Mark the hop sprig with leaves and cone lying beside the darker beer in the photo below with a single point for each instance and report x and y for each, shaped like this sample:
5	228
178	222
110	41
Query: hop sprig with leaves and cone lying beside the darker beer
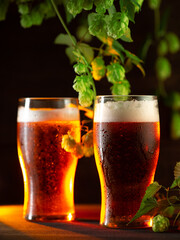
163	207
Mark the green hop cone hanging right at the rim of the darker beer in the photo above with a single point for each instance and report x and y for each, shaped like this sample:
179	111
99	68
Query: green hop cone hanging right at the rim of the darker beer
122	88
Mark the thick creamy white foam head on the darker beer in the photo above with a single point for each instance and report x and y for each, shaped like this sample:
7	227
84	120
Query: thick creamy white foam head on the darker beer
127	111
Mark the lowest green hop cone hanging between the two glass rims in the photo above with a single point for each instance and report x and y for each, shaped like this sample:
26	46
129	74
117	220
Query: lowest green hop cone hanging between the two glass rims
86	97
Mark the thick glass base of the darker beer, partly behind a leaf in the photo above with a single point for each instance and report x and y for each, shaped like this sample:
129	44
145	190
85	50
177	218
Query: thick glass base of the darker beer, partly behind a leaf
123	222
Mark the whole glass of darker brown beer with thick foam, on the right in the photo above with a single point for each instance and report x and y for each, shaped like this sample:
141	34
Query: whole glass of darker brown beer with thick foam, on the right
126	145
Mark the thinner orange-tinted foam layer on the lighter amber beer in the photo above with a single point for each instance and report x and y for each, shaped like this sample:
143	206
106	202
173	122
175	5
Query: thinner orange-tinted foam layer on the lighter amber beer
47	114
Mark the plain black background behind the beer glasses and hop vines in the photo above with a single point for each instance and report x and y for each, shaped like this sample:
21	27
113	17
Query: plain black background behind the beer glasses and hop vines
32	66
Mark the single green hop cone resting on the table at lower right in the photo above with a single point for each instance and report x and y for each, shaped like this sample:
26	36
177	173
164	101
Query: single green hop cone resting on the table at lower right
160	223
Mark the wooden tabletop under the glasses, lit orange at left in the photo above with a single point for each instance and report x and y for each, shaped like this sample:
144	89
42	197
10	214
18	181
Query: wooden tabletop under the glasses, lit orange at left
14	227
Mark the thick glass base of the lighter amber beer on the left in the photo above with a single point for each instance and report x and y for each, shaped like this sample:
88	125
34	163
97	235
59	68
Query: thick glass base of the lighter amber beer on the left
50	218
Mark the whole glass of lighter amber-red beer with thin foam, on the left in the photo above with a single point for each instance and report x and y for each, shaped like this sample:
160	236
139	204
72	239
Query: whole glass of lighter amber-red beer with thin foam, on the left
48	170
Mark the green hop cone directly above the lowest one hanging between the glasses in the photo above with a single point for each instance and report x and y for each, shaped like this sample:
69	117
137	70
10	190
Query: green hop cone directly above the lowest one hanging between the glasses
81	83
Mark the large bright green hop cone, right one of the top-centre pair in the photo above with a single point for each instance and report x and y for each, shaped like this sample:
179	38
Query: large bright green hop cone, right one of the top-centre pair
117	25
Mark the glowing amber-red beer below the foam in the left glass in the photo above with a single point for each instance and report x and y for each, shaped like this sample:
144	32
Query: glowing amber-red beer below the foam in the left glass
48	170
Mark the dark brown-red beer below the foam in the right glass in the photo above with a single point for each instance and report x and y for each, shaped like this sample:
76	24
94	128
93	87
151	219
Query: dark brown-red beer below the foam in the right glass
126	157
